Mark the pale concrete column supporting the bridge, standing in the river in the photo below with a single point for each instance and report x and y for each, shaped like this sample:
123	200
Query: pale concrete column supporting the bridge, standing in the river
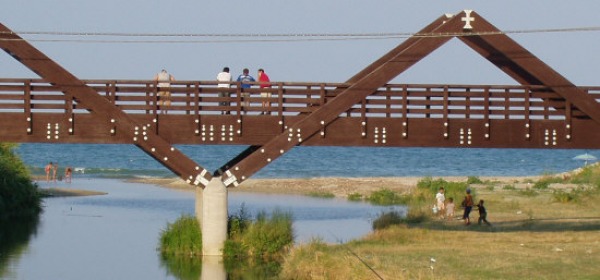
214	217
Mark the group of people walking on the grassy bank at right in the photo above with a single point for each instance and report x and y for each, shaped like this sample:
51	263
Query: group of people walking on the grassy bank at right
446	210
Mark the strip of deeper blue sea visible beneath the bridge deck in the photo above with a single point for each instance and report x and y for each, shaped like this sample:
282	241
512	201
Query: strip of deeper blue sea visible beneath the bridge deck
125	161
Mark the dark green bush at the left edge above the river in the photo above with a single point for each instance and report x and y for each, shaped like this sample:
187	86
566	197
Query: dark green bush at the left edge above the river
19	196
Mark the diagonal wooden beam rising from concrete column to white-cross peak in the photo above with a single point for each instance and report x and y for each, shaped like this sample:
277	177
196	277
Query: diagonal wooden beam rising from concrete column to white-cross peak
363	84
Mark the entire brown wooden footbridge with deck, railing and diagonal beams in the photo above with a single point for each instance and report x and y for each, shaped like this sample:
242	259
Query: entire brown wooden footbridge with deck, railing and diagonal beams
542	110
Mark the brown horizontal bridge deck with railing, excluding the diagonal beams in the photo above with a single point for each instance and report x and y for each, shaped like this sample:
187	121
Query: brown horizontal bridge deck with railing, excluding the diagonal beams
395	115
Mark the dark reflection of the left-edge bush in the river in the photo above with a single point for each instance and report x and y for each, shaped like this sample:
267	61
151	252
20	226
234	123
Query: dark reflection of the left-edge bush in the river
14	237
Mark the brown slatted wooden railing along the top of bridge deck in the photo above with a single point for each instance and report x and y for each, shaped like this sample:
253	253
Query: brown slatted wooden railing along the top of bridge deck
290	99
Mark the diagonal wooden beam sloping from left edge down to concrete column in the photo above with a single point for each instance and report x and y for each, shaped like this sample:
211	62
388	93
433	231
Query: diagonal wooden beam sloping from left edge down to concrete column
141	135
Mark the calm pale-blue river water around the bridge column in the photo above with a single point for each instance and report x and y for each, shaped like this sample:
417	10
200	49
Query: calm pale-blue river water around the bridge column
115	236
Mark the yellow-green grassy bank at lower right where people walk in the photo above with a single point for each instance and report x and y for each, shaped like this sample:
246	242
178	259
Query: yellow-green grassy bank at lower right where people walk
536	233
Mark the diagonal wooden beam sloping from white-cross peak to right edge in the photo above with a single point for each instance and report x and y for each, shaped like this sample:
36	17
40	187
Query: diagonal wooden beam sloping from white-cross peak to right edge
524	67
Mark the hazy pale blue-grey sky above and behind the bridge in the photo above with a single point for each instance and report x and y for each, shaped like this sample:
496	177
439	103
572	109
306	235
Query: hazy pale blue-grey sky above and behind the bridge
573	54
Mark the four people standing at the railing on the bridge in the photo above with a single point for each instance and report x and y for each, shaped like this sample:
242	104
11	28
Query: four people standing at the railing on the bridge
164	79
